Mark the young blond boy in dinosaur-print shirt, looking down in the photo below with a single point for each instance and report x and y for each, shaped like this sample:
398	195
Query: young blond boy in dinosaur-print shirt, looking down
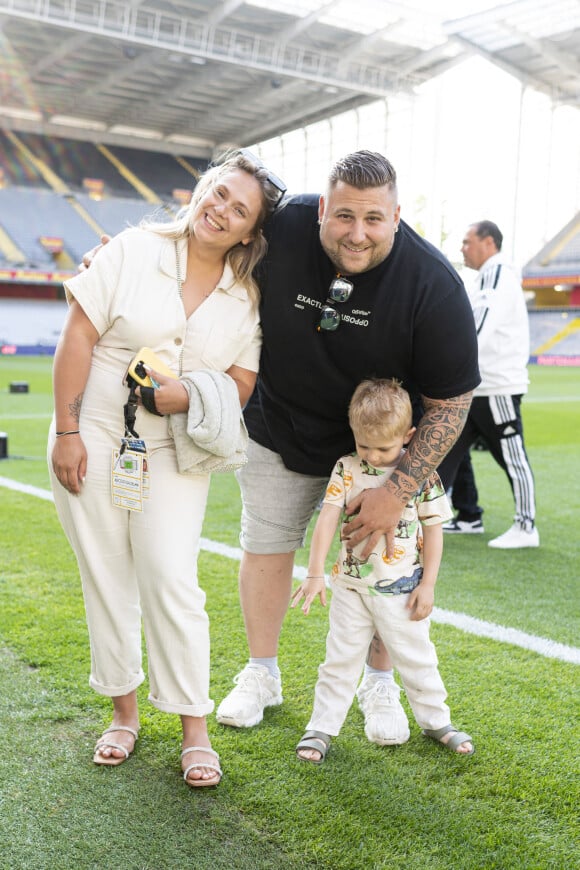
393	597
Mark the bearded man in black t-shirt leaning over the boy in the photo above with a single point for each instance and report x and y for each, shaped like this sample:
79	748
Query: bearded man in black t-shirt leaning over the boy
348	291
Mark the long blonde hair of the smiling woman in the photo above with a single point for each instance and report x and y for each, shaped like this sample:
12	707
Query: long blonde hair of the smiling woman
242	259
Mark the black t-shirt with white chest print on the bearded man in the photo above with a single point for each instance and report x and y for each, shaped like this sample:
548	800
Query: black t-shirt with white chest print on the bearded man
408	318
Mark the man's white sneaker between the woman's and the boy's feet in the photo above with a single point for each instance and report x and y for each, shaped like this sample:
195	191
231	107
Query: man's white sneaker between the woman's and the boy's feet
255	689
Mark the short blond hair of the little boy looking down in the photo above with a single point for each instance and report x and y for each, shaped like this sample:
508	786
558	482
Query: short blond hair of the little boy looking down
380	406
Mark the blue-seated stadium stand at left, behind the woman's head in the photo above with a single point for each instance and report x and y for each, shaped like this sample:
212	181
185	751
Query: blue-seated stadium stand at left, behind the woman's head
57	196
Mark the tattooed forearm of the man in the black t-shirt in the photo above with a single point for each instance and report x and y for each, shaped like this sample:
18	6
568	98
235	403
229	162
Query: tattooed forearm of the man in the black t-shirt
437	432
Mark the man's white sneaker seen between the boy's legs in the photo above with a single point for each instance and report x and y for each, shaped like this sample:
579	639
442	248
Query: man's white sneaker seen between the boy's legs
385	720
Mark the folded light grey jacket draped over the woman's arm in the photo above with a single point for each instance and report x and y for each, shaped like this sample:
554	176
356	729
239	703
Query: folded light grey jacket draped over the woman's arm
212	435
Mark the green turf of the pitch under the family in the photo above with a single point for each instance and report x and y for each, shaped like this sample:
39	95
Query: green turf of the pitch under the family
513	805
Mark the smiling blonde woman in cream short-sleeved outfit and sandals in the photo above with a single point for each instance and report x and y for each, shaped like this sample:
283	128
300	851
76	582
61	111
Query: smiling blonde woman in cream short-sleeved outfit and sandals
184	289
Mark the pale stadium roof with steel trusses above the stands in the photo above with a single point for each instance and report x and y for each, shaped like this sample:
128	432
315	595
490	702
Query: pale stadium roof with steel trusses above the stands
191	76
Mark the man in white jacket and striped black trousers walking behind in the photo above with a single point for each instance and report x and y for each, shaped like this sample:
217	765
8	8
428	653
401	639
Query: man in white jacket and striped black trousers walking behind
501	320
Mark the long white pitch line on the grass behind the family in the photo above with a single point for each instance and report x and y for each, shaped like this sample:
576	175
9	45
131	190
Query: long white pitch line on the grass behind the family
469	624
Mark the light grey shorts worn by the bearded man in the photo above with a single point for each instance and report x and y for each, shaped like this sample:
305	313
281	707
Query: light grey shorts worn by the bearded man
277	504
